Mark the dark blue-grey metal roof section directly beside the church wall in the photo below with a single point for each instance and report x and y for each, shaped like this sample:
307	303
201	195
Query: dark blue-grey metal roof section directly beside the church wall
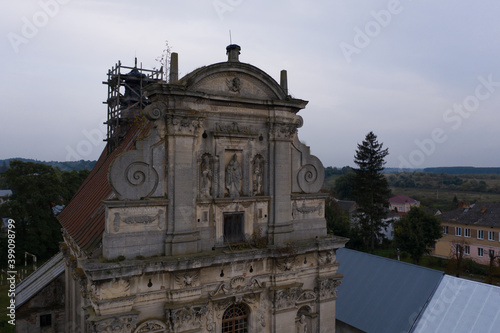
382	295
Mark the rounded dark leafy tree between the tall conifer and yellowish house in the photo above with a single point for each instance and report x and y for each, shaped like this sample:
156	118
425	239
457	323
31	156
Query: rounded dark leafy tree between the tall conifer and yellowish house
415	232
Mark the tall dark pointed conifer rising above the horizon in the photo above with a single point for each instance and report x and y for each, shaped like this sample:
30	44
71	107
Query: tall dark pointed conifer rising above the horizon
371	189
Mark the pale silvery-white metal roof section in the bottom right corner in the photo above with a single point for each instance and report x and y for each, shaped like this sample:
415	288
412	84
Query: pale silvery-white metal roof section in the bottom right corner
460	305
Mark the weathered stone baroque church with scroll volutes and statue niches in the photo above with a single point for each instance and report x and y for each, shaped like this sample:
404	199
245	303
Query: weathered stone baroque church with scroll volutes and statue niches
204	212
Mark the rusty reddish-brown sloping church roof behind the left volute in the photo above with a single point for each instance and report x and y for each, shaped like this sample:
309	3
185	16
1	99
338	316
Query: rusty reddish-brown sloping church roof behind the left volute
83	218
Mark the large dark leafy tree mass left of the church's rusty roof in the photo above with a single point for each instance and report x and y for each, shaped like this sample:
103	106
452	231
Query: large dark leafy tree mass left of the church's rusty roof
36	188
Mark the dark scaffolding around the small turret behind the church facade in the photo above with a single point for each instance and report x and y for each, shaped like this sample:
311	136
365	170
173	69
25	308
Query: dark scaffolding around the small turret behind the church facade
126	98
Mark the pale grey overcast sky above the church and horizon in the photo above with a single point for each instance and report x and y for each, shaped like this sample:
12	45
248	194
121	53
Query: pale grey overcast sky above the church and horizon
424	76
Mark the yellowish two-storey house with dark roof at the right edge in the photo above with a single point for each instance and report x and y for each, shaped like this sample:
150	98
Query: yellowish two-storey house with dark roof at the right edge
475	227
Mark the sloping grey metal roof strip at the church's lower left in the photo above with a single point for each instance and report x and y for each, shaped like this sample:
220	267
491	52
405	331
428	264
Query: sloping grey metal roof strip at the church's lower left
39	279
